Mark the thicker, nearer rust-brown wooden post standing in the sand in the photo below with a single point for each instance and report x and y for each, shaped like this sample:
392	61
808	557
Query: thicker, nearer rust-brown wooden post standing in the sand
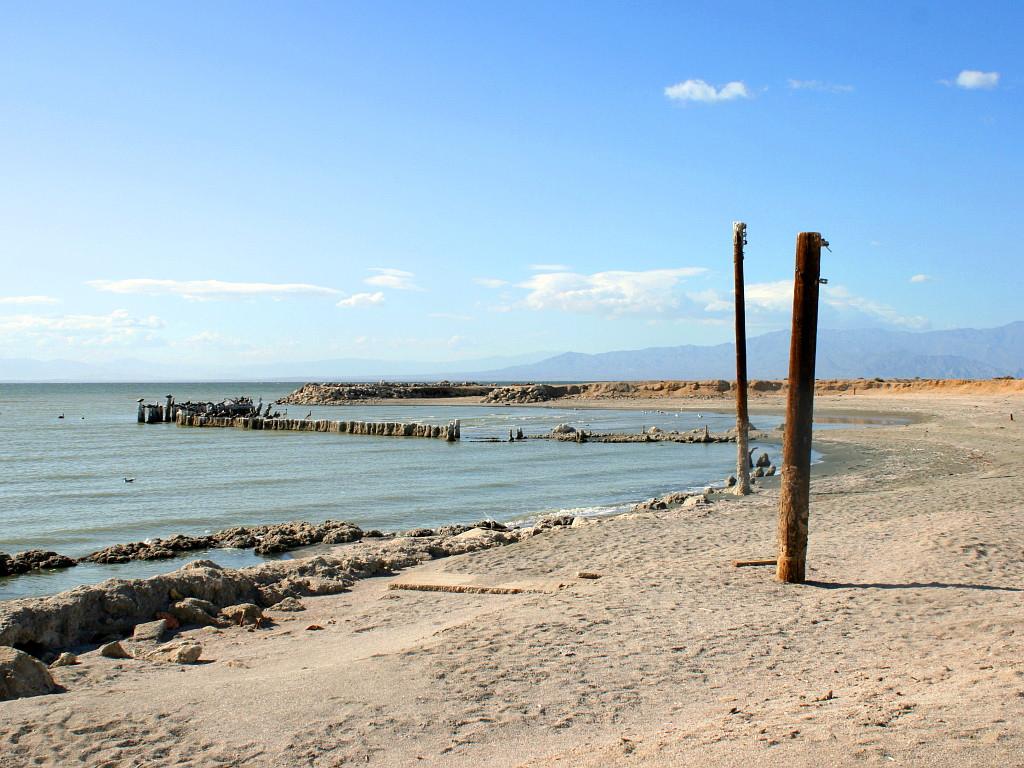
795	496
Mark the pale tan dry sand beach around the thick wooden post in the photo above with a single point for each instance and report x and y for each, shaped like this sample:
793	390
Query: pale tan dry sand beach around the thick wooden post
908	649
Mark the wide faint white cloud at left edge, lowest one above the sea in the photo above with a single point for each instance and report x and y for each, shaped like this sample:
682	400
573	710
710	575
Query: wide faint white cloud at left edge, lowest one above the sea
86	330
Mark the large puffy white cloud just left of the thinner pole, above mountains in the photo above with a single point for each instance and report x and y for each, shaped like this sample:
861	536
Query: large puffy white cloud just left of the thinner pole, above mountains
616	292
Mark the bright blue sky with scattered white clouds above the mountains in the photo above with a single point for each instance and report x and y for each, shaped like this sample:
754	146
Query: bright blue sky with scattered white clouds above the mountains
441	182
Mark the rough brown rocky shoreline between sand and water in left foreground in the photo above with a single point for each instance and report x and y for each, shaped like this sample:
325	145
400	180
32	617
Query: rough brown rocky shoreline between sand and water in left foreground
203	593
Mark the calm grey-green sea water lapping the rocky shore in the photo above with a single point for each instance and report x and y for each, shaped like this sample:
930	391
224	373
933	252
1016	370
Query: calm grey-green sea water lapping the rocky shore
63	480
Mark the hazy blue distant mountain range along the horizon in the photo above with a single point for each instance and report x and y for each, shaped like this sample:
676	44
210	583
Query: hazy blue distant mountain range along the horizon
963	354
